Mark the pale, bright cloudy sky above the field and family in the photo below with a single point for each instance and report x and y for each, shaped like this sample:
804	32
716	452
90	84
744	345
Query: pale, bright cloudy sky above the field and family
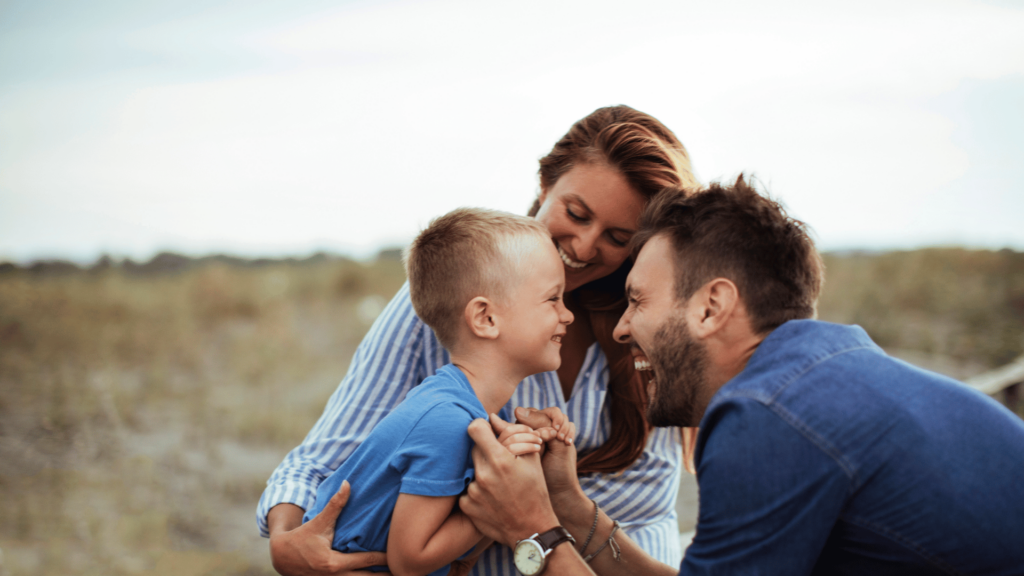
283	128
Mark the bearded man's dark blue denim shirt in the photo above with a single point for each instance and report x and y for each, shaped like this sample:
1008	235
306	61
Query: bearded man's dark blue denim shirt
827	457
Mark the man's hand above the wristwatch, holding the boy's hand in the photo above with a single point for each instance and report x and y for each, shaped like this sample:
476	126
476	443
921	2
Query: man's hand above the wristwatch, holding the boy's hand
508	501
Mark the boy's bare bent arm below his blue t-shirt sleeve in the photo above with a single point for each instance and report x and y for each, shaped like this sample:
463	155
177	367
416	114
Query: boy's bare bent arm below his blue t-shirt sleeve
426	534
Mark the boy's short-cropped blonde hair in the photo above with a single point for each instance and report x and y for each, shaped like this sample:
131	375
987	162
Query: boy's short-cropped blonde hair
466	254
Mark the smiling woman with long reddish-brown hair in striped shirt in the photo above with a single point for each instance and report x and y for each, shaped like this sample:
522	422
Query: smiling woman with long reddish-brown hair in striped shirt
594	184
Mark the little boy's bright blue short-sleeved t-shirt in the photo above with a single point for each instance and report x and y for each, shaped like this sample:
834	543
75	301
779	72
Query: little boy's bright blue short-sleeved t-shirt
422	448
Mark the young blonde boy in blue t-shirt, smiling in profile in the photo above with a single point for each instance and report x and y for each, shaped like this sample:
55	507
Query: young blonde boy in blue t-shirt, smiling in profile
490	284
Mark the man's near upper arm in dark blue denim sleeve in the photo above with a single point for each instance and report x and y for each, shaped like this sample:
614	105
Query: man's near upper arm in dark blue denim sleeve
771	495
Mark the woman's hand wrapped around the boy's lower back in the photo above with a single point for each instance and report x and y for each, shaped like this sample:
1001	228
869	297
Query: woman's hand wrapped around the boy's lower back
306	550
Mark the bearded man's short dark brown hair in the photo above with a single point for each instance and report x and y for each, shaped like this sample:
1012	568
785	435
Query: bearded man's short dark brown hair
734	232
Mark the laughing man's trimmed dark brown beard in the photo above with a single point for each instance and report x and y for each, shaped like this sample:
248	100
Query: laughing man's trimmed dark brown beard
680	364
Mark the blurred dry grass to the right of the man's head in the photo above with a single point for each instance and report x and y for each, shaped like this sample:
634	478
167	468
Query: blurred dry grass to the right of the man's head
964	305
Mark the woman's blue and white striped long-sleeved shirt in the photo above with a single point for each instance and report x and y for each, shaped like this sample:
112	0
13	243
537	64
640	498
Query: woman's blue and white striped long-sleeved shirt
400	352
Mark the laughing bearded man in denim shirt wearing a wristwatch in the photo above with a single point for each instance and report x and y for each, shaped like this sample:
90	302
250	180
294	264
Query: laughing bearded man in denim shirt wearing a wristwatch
818	454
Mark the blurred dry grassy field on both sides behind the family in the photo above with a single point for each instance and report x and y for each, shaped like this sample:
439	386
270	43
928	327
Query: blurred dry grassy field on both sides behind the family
144	406
